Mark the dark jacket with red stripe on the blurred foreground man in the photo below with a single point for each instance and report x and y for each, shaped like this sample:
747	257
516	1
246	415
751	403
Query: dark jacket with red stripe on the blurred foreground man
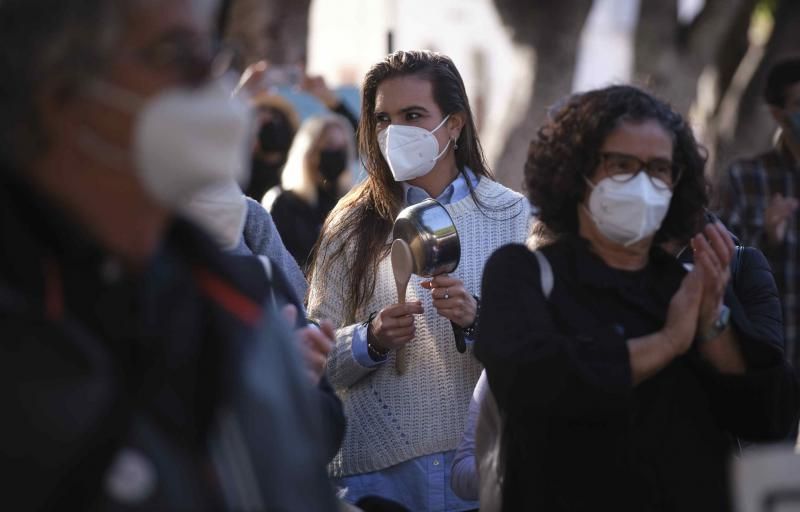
153	373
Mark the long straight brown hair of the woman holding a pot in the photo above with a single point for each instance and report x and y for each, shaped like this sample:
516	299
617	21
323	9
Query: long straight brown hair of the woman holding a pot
364	217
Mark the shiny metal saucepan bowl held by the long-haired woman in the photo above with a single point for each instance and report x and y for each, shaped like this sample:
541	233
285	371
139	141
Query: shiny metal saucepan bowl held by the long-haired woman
429	231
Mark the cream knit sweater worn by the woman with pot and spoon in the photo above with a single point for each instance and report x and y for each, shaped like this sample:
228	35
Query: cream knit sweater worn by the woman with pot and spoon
393	418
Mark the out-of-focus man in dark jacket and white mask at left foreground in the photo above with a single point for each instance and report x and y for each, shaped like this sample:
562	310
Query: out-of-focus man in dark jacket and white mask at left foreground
141	368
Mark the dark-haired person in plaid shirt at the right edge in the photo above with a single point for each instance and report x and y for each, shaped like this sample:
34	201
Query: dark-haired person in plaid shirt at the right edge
760	201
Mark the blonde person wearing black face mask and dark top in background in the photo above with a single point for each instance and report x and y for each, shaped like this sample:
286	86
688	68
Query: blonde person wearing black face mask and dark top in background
317	173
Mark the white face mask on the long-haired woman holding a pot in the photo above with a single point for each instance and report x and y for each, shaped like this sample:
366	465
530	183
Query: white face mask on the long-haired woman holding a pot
410	151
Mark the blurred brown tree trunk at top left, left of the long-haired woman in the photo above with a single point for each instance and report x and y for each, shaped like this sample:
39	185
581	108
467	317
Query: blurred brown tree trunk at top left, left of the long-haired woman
275	30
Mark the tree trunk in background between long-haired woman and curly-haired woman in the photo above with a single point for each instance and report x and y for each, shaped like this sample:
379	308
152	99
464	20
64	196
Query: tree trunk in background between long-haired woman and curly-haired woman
546	34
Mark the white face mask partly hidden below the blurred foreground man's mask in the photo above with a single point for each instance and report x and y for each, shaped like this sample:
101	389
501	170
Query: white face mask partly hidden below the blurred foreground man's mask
222	210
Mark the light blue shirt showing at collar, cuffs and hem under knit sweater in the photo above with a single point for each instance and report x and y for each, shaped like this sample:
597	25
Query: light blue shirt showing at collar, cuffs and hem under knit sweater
403	482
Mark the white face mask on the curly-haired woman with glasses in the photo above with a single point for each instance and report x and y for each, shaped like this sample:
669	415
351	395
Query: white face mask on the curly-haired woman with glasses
629	211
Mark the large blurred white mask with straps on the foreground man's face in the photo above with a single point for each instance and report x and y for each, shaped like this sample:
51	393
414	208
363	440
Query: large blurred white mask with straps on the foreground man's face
184	139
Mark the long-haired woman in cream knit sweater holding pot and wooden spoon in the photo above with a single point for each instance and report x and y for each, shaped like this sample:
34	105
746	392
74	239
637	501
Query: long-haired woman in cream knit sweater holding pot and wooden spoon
418	140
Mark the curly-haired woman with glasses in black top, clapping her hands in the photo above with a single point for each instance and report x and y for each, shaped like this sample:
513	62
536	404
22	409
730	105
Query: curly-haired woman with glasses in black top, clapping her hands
619	388
